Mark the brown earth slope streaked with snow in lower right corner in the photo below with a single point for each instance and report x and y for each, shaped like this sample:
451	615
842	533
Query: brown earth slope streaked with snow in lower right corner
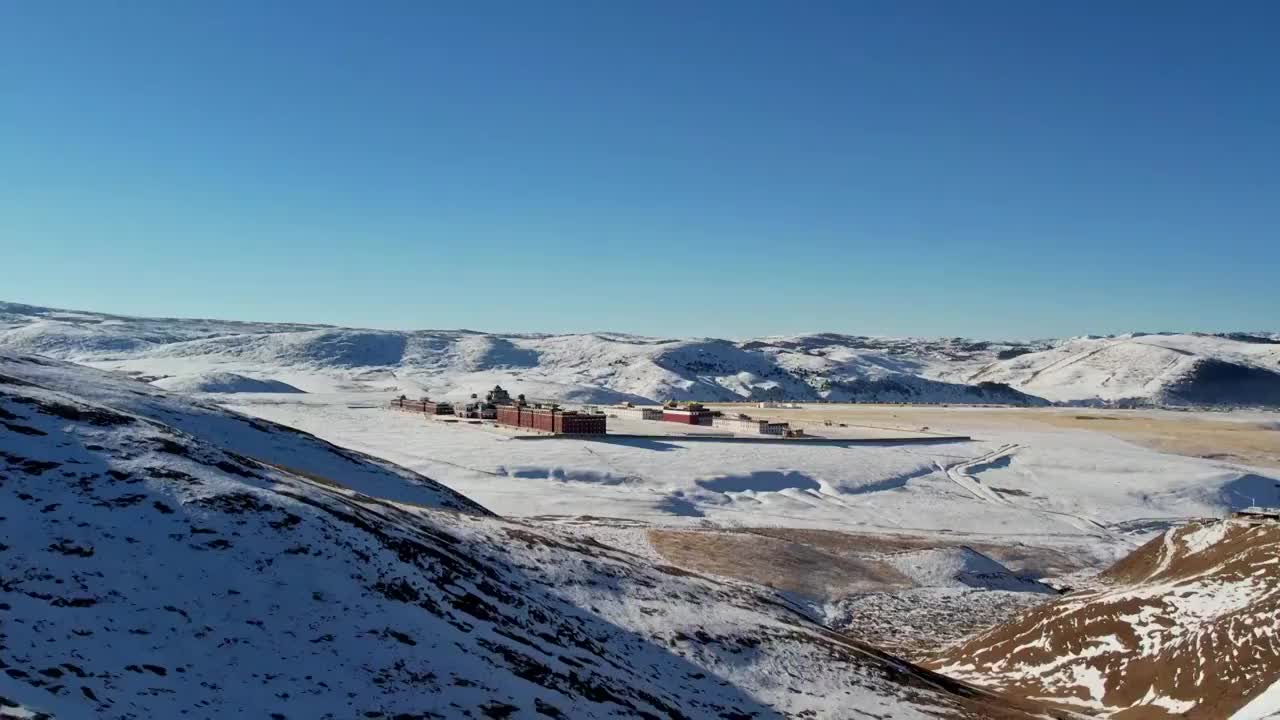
1188	627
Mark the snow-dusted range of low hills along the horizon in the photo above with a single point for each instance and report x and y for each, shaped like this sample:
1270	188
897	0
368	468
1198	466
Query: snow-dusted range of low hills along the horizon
1165	370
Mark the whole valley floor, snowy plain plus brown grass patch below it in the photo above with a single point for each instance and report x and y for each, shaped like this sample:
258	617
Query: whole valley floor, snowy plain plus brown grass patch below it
1048	496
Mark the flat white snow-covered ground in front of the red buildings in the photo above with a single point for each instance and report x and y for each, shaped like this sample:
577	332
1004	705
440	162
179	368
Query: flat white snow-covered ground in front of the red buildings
1085	491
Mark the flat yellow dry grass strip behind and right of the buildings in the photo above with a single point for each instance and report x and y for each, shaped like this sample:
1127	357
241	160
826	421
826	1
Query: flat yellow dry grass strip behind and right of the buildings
1246	439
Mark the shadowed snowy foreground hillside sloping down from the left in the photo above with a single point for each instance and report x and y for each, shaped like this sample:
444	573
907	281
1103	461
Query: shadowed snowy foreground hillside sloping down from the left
162	558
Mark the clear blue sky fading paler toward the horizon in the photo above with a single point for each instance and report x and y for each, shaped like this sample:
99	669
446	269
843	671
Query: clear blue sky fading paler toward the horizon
720	168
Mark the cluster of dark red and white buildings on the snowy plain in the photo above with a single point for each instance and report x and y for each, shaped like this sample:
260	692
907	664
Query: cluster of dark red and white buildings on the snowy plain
546	417
